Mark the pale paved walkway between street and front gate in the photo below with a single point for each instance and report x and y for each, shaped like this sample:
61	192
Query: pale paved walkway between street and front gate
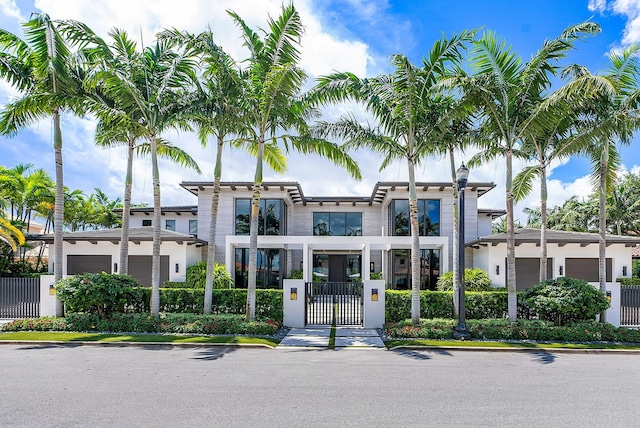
318	337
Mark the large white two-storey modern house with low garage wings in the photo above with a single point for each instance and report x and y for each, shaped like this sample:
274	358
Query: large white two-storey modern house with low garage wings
339	238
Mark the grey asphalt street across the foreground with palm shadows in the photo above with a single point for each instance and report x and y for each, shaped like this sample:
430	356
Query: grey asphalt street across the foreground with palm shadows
126	386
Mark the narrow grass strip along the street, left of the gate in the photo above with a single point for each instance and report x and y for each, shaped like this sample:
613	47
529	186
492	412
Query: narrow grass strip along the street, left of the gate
71	337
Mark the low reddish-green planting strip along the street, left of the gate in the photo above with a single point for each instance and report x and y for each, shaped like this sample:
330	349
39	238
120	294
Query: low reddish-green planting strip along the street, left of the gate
143	323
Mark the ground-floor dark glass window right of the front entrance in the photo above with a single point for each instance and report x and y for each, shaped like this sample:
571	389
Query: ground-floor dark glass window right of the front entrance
429	269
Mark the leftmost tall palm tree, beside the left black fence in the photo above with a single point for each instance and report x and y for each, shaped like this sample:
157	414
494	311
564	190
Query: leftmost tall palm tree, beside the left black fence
43	69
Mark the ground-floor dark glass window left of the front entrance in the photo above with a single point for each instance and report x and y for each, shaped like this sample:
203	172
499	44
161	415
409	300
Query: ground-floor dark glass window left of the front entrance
268	268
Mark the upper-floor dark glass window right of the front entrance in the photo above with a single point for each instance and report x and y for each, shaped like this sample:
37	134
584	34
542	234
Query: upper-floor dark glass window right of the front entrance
428	217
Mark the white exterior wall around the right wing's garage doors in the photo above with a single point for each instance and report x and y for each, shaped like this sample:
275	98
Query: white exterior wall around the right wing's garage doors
489	257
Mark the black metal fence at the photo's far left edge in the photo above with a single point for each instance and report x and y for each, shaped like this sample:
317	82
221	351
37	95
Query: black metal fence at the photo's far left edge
19	297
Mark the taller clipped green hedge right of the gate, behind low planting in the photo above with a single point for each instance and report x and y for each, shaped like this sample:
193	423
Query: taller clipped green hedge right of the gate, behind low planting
439	304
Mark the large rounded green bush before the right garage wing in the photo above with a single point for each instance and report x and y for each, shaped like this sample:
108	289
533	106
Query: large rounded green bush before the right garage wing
563	299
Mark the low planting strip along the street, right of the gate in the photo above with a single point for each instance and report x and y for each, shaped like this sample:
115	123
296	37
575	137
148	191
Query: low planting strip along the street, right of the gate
495	329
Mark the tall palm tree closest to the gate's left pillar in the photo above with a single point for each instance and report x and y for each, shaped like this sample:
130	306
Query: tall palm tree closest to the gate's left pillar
271	100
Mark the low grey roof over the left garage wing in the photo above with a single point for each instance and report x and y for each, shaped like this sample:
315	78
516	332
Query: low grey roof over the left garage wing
136	234
